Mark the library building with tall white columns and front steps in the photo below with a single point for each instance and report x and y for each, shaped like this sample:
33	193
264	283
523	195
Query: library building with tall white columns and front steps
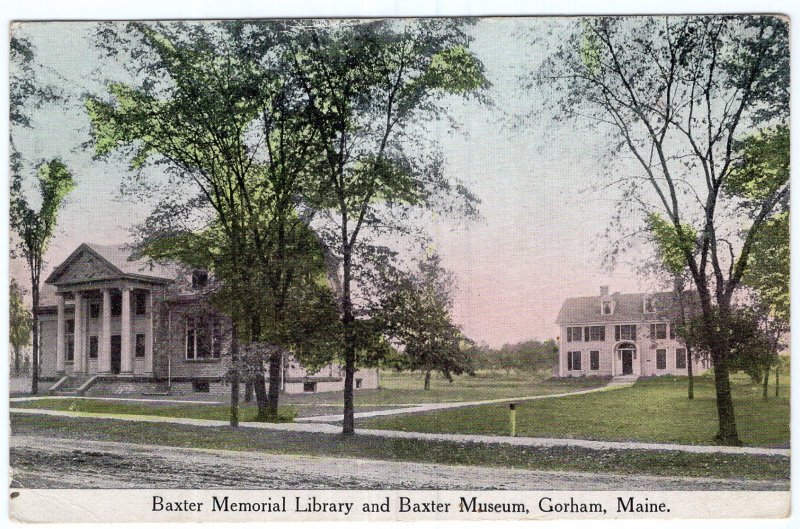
112	324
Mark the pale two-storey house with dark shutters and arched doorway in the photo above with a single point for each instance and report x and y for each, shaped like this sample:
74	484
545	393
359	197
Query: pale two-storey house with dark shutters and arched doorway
621	335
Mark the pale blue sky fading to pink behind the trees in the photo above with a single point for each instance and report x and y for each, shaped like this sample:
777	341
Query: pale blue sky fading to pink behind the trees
541	233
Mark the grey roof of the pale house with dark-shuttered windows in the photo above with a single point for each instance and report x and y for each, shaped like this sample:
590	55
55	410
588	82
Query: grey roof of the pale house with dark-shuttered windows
627	308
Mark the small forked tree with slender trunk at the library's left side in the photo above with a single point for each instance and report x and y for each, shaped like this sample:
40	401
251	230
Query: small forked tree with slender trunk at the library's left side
35	230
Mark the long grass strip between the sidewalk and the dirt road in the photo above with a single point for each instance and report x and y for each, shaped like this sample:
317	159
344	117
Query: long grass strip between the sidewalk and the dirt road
638	462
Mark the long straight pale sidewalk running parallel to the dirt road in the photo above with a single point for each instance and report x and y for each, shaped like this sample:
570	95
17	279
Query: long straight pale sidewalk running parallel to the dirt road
459	438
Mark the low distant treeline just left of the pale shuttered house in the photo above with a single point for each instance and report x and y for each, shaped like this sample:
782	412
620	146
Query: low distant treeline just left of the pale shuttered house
530	355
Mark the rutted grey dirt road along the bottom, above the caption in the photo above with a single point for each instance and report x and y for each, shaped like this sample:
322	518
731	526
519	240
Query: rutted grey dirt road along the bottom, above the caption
46	462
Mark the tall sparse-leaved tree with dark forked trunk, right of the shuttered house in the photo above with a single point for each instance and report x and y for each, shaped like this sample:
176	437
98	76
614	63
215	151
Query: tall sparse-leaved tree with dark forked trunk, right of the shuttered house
677	93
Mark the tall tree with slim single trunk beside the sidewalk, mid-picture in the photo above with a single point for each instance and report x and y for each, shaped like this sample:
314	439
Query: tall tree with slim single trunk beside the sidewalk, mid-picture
368	84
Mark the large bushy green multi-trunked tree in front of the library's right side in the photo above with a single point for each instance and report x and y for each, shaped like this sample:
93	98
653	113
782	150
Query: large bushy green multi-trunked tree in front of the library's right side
226	122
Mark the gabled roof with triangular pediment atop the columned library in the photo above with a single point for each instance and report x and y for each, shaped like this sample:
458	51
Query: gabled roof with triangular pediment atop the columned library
109	262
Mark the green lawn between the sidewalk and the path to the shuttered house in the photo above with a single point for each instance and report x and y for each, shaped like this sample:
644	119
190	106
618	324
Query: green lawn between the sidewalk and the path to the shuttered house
654	410
